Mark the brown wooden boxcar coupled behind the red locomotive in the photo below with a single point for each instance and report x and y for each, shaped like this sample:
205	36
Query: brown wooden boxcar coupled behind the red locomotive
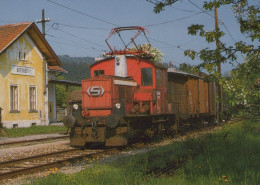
190	95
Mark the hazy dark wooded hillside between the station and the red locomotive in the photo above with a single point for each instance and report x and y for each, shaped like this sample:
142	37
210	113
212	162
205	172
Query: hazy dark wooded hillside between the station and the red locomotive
77	67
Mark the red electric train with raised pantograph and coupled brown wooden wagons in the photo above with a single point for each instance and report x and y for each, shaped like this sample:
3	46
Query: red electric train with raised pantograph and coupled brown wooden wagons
129	95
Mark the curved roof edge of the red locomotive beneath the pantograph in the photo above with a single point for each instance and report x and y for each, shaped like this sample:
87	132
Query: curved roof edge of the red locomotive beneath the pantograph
155	64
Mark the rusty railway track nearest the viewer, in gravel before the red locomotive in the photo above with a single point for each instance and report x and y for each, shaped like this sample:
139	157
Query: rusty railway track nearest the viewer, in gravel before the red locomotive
13	168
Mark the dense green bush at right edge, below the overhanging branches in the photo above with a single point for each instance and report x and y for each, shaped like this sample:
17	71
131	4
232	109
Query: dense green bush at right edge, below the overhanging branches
242	88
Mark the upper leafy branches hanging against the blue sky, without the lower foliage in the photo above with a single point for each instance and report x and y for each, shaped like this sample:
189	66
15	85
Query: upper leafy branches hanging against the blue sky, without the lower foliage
246	15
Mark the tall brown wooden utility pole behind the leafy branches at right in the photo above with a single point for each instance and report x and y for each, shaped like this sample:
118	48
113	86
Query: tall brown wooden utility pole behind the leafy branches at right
220	104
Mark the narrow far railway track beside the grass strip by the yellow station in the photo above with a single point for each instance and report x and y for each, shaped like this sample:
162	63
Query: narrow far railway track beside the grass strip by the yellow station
31	141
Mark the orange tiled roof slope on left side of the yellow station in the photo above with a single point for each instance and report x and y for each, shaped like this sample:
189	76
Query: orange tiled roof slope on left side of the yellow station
8	33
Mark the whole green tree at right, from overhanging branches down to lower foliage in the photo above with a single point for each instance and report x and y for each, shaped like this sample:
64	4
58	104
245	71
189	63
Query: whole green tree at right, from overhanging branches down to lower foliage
248	18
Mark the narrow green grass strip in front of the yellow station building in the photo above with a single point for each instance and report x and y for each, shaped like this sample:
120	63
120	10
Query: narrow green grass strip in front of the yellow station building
19	132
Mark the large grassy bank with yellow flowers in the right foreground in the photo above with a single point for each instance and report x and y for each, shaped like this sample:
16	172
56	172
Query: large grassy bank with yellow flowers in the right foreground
229	156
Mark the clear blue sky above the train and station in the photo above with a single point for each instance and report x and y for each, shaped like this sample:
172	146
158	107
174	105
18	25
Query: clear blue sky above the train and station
79	28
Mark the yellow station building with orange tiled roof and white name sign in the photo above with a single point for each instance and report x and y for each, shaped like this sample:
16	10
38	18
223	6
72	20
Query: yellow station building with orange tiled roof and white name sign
27	62
